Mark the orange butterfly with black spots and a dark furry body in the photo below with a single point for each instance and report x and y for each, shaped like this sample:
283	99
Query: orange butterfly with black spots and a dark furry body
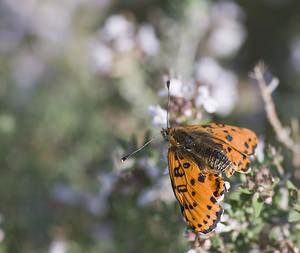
198	156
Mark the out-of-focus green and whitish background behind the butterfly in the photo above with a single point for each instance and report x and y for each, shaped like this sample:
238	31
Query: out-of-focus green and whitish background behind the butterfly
80	86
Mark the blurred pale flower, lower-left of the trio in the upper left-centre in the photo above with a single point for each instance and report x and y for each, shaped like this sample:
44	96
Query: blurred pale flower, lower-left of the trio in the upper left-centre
102	57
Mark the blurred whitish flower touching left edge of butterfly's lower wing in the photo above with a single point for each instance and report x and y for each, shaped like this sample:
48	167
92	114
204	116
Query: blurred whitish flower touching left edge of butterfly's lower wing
161	190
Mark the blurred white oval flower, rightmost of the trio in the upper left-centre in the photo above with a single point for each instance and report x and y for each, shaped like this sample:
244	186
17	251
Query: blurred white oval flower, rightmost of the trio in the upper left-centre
148	40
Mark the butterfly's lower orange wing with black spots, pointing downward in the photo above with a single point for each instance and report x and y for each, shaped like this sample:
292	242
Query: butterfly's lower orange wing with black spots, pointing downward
197	191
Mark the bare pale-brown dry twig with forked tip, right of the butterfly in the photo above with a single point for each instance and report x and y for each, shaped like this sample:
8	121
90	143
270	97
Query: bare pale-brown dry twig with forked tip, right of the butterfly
283	134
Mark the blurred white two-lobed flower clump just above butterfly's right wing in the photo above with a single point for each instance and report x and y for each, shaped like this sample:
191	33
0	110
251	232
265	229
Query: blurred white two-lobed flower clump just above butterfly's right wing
223	84
